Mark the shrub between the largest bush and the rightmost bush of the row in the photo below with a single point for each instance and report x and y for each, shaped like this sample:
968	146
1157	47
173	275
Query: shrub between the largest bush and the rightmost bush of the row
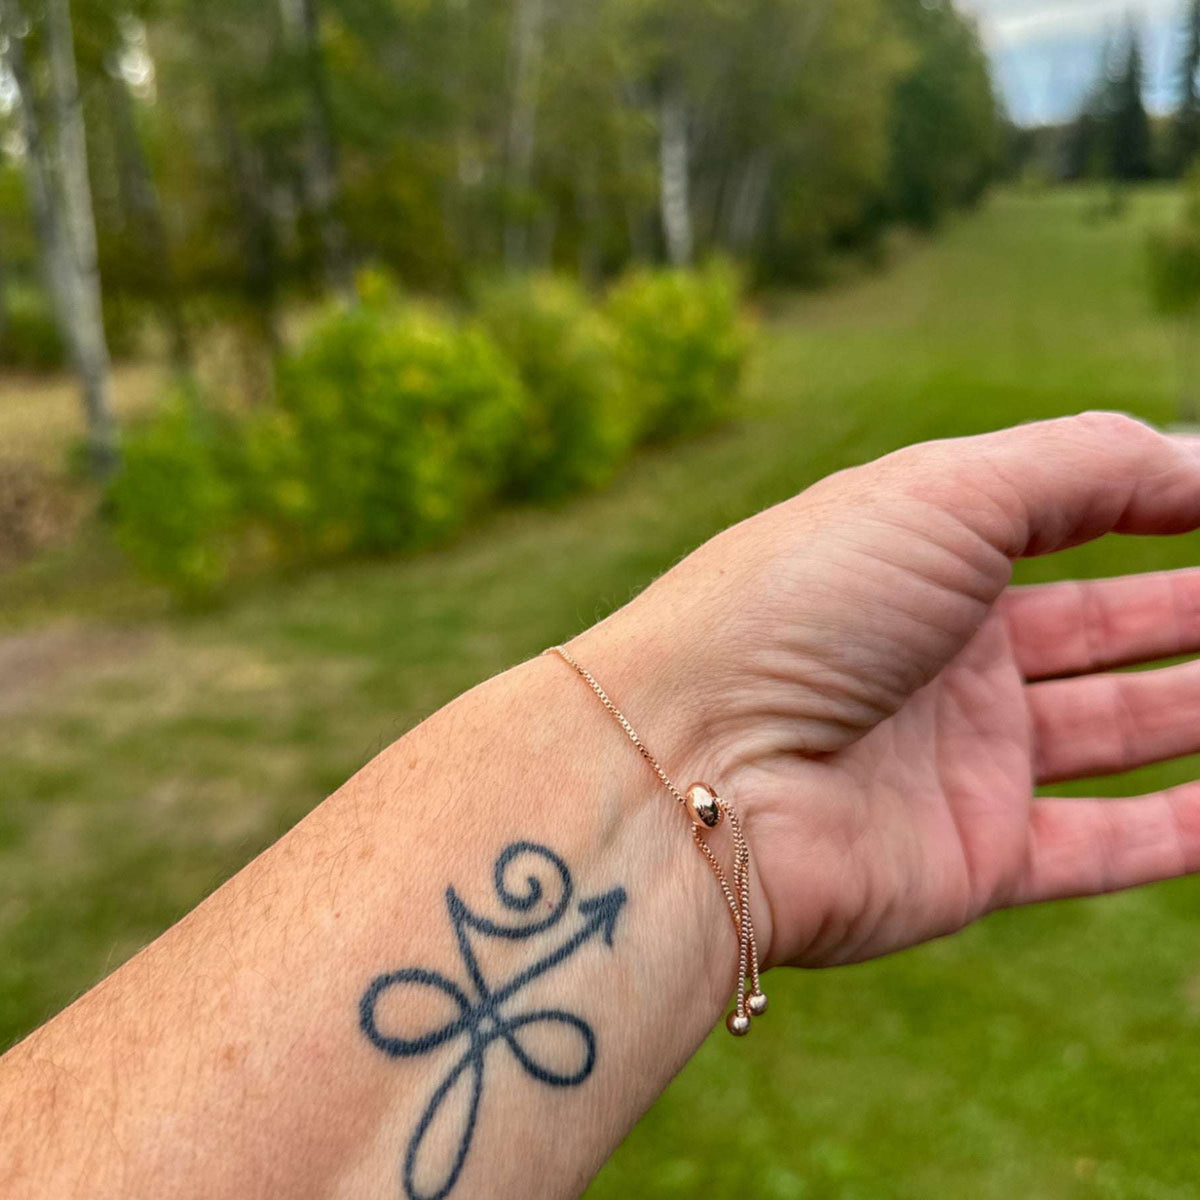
577	424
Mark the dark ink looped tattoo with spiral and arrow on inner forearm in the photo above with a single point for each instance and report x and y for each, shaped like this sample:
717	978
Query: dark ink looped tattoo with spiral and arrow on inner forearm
483	1021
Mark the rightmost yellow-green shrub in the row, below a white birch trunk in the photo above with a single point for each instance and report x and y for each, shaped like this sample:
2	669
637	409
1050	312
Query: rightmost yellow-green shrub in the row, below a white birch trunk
682	347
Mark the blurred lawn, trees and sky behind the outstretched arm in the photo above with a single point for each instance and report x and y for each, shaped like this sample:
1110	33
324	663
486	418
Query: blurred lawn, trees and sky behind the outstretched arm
352	351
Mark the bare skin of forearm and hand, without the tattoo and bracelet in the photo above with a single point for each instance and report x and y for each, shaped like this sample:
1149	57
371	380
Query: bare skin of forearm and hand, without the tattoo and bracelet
851	668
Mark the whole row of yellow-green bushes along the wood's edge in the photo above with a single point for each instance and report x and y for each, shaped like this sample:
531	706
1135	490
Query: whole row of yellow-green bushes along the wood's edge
395	423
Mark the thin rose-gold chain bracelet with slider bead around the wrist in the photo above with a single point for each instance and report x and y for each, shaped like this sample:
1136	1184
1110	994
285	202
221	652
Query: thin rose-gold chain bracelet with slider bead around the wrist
706	811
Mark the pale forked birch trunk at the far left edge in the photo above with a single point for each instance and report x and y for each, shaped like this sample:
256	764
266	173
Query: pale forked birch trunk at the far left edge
61	197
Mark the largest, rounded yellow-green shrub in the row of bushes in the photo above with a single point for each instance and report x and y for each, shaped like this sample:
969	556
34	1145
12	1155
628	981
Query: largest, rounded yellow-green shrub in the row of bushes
400	423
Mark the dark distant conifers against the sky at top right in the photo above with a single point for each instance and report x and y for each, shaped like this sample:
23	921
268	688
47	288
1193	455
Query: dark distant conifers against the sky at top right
1114	137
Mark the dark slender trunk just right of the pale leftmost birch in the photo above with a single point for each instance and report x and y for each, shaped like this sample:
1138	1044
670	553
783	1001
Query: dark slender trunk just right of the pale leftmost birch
141	201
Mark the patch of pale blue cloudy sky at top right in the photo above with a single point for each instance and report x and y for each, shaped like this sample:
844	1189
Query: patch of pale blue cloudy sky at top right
1047	51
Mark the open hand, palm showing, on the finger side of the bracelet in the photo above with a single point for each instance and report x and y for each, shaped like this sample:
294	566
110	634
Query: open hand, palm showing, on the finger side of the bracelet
855	671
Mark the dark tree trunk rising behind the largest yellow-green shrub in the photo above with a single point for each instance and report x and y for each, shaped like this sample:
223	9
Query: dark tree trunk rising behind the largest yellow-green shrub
302	23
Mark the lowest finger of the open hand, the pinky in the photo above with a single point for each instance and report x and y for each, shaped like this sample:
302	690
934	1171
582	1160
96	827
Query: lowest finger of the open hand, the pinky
1090	848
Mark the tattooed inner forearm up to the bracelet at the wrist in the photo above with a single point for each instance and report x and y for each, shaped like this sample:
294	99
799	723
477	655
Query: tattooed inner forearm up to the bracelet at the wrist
247	1054
